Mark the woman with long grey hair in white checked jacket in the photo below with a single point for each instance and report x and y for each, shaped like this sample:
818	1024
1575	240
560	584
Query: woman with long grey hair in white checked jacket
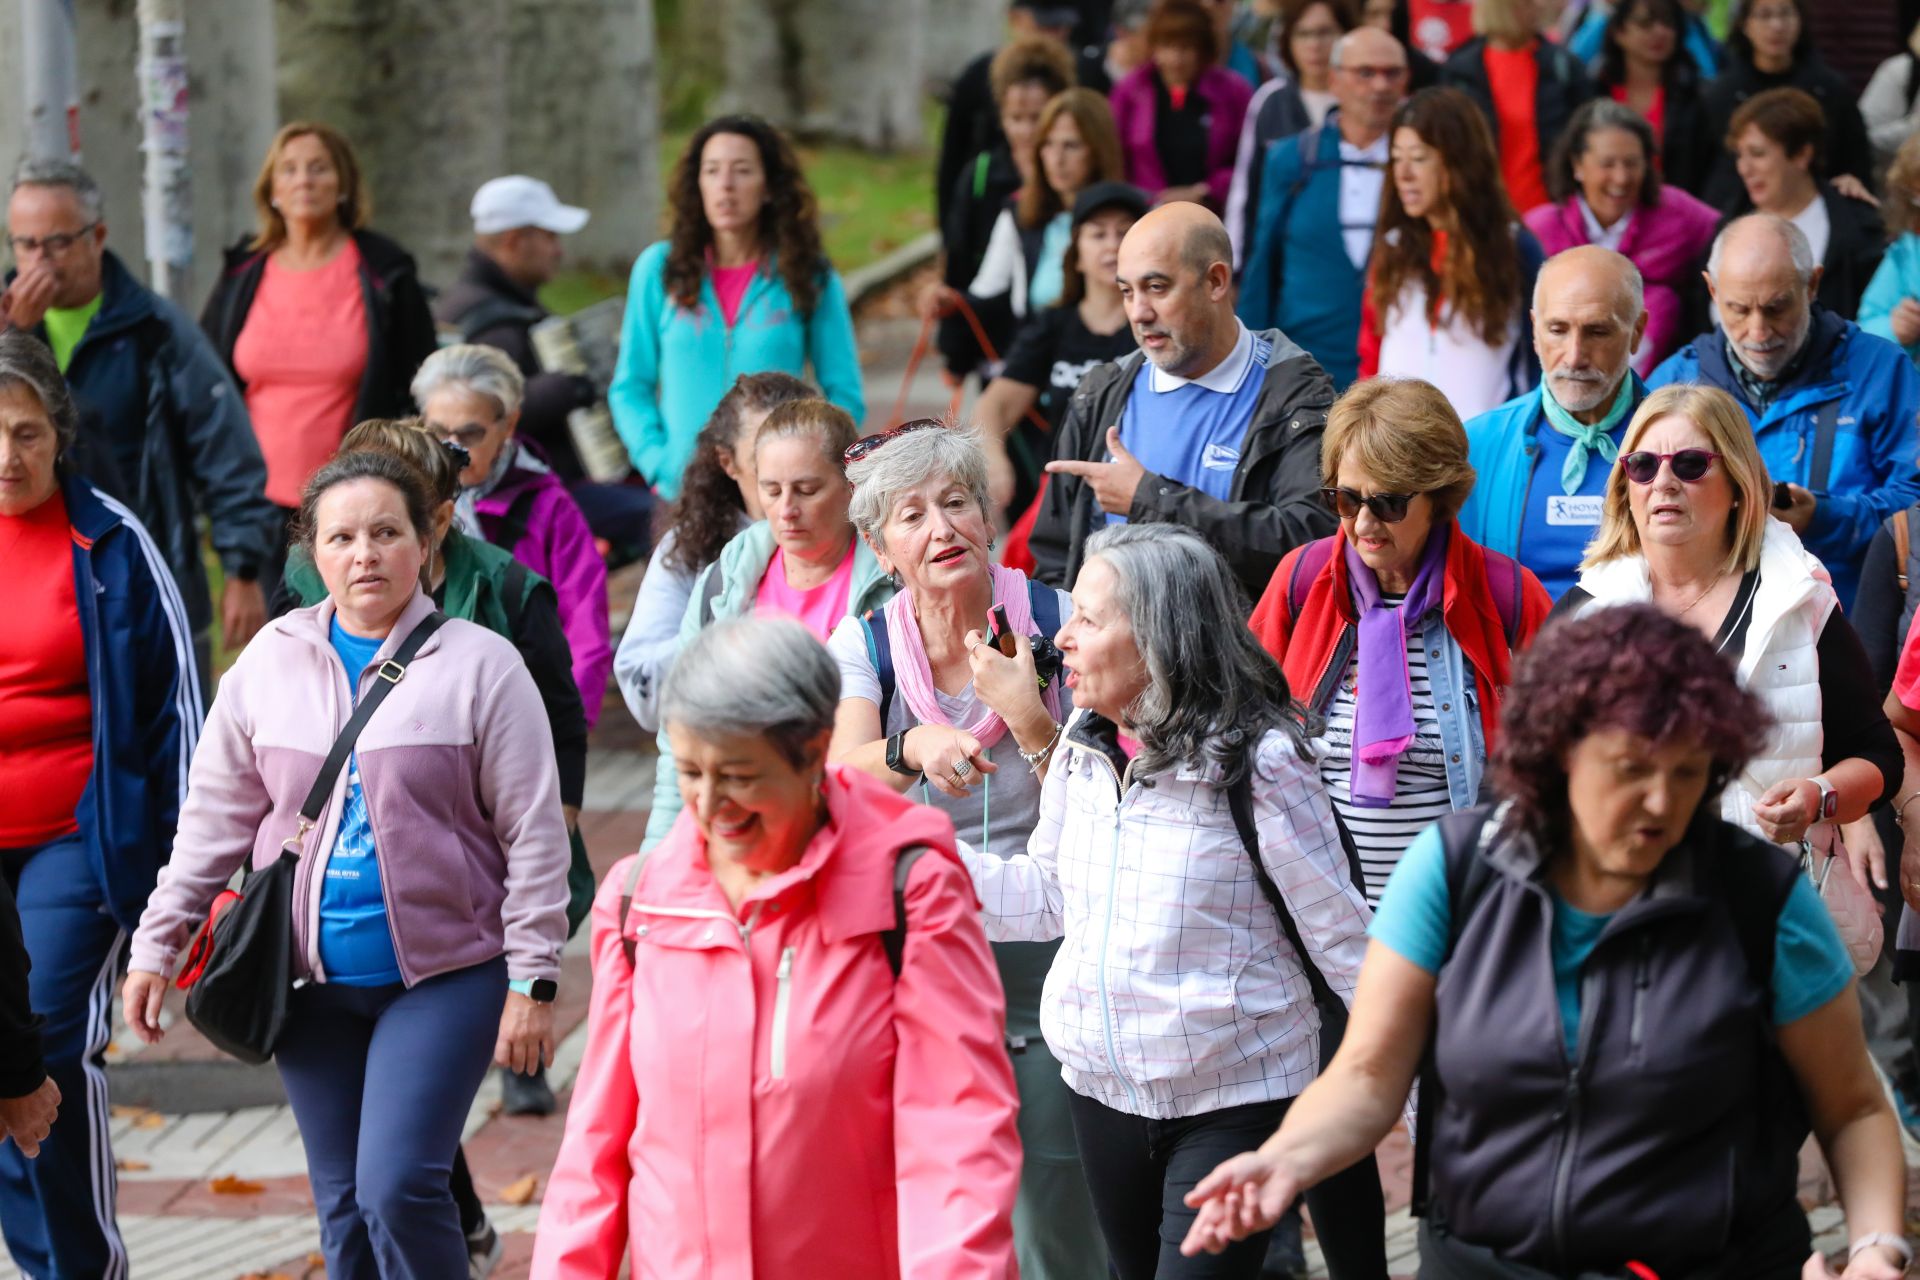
1189	857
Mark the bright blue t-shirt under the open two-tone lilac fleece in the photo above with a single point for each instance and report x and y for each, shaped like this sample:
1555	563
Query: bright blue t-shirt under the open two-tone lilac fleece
356	943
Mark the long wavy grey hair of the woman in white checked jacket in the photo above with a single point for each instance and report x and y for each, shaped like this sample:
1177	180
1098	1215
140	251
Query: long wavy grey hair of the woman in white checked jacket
1212	692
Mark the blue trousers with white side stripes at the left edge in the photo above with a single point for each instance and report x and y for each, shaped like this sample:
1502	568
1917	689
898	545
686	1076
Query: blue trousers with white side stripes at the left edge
57	1210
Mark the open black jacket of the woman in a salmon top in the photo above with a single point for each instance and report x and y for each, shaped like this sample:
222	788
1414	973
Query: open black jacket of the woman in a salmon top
400	329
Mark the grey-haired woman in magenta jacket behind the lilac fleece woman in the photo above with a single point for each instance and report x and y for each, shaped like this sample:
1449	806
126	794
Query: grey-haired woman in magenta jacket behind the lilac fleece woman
471	396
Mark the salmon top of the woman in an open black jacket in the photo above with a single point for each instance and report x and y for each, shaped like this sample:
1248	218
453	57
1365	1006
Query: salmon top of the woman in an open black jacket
302	354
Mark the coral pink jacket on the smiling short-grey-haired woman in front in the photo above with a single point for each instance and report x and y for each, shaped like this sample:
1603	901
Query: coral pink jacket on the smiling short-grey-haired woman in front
761	1099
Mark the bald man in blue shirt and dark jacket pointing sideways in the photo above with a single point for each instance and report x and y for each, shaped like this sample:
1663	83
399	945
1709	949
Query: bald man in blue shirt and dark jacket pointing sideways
1209	425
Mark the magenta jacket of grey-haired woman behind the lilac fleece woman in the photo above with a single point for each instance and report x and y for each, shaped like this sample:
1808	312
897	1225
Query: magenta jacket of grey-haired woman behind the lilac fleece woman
560	548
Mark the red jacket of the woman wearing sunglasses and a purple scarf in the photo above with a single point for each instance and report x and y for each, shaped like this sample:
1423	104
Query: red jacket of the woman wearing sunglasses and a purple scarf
1308	644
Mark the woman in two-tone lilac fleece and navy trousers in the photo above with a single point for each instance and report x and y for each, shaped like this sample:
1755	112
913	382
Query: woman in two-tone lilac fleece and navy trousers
431	899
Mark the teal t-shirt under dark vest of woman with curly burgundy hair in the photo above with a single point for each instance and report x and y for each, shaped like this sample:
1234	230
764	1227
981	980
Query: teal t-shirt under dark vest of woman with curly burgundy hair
1812	964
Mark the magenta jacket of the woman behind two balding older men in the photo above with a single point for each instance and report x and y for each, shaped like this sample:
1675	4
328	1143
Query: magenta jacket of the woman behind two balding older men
1669	245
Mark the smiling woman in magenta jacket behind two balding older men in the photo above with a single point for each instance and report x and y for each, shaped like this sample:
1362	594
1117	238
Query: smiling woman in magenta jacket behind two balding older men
1608	193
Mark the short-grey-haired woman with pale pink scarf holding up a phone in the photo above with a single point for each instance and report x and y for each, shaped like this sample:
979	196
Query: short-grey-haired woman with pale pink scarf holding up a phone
932	707
